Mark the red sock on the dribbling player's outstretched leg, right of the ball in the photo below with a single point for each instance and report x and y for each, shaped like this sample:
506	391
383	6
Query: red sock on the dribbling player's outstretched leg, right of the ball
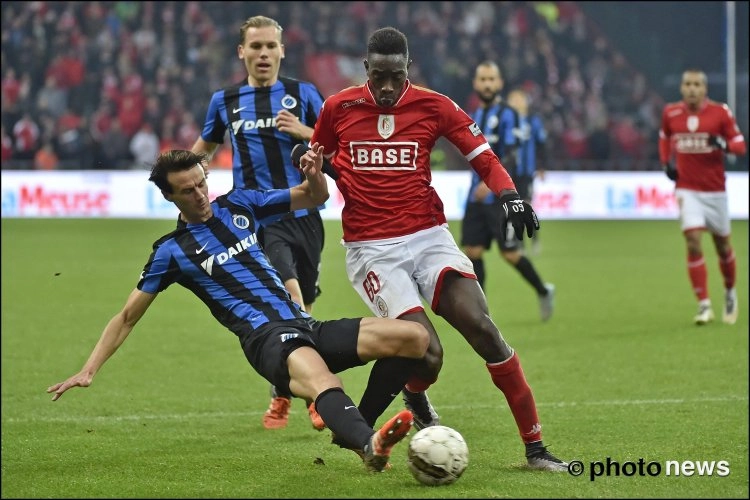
508	377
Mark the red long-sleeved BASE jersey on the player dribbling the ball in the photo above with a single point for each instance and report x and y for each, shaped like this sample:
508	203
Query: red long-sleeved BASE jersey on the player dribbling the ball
382	158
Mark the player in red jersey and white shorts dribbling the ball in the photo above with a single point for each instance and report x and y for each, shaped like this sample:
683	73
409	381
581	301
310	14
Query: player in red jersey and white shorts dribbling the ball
399	249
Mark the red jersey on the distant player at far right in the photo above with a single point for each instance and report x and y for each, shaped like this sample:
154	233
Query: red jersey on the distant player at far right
684	134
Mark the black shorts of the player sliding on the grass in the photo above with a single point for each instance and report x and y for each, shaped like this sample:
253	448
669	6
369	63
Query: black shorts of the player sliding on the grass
268	347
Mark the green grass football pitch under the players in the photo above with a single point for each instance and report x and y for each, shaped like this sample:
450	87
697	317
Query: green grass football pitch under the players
620	371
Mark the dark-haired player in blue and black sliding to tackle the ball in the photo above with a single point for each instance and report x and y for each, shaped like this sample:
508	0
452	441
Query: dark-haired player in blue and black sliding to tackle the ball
217	256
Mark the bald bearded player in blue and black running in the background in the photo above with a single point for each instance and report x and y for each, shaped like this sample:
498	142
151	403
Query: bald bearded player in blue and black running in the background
483	214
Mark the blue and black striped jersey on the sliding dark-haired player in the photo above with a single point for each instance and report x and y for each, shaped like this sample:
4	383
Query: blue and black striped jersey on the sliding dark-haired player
221	262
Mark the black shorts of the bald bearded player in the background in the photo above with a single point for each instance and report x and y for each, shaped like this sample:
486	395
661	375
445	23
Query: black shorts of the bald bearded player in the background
483	223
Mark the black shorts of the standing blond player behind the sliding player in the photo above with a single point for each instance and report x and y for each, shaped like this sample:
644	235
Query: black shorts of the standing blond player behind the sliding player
294	247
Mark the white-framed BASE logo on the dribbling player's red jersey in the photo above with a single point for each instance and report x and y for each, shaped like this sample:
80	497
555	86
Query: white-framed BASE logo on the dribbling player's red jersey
372	155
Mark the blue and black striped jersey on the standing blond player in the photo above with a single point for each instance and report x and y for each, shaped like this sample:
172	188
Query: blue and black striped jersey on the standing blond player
261	154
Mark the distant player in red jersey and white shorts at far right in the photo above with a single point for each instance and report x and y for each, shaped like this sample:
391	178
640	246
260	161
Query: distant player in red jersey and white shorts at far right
697	132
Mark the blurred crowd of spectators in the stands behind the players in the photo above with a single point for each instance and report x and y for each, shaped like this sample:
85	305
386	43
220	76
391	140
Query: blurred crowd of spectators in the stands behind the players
107	85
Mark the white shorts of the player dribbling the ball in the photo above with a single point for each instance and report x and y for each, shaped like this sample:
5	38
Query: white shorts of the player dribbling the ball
390	275
